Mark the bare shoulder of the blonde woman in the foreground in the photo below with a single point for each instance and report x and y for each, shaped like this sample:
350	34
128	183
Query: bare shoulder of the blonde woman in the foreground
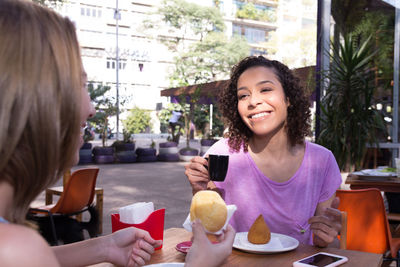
21	246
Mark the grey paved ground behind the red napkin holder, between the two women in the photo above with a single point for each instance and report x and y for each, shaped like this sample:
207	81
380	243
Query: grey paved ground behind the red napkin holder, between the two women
163	183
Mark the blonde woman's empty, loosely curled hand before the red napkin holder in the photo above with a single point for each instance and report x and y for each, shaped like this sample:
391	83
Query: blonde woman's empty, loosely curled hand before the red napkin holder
130	247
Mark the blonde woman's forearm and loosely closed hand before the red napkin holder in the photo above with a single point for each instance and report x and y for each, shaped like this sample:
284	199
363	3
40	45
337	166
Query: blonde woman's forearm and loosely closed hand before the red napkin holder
127	247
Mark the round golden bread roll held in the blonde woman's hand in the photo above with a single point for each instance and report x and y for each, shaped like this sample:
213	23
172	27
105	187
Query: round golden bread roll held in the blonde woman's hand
210	208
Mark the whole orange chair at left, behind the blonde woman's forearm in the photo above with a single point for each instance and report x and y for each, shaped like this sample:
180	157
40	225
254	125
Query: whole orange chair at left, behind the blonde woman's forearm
76	198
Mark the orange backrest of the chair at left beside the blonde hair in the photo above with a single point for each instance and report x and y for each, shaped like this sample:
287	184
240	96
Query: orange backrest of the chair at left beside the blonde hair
78	192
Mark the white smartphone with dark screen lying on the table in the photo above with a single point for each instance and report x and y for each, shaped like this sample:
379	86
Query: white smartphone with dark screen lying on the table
321	259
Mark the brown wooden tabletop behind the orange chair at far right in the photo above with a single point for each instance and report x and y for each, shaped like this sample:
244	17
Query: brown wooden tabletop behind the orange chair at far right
386	184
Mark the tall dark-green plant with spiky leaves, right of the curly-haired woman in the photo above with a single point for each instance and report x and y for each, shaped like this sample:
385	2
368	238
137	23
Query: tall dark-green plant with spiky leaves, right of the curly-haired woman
349	120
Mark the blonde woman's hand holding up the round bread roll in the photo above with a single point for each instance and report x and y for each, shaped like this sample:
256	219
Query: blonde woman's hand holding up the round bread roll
203	252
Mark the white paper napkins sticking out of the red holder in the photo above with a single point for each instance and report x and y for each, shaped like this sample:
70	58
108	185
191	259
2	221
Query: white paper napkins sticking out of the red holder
136	213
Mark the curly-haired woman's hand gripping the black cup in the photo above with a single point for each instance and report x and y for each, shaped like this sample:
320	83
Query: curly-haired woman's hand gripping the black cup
197	173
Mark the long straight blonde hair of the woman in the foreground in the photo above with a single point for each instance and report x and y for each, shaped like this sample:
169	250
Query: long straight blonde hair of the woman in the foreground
40	99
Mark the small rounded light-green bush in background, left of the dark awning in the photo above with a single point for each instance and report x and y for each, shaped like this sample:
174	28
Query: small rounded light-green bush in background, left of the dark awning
137	121
